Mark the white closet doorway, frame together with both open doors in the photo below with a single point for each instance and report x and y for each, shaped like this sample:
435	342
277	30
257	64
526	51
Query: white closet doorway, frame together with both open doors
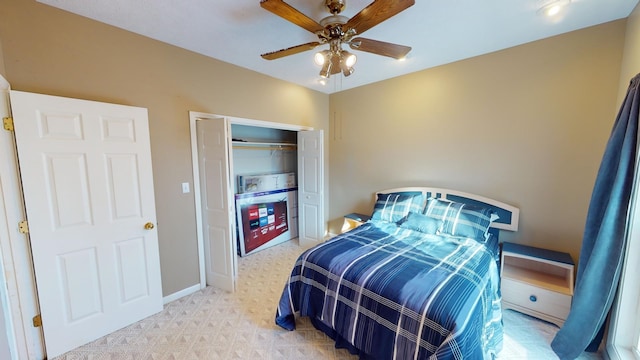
215	187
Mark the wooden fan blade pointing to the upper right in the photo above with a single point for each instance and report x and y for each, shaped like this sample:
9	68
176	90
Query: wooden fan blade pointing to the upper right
377	12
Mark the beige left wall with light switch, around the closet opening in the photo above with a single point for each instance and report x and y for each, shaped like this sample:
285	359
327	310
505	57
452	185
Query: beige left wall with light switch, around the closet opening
54	52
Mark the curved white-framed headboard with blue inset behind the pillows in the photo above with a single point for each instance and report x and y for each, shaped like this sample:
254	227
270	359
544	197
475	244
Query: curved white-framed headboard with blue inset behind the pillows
509	215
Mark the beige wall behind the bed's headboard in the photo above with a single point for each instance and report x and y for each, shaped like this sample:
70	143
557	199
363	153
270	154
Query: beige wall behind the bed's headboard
526	125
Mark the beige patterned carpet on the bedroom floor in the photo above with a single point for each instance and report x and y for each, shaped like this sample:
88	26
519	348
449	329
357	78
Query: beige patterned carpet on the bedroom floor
213	324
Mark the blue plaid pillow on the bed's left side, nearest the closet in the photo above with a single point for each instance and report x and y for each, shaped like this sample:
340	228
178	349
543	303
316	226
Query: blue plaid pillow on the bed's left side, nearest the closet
394	207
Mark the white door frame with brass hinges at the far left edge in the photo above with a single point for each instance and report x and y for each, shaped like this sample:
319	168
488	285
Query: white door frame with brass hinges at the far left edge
25	341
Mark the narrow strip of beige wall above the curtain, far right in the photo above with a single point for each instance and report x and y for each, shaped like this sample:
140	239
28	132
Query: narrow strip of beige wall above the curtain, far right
631	57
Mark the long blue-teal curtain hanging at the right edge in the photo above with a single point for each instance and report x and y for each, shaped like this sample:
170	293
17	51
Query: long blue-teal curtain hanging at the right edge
603	242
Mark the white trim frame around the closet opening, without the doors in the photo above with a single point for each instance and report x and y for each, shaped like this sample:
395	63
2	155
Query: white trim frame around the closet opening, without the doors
193	117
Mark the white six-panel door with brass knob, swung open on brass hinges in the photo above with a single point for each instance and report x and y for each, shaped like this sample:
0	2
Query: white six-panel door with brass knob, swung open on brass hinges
87	179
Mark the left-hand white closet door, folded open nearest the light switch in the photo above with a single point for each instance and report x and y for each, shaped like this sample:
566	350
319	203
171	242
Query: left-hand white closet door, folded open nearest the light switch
217	202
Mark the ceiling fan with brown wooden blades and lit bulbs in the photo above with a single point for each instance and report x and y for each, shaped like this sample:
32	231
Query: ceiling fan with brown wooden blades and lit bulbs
336	30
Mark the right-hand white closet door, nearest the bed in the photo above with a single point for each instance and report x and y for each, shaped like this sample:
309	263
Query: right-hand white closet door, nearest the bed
310	187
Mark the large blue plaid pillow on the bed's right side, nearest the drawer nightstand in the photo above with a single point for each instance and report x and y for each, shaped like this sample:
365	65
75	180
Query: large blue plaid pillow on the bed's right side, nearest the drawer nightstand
461	219
